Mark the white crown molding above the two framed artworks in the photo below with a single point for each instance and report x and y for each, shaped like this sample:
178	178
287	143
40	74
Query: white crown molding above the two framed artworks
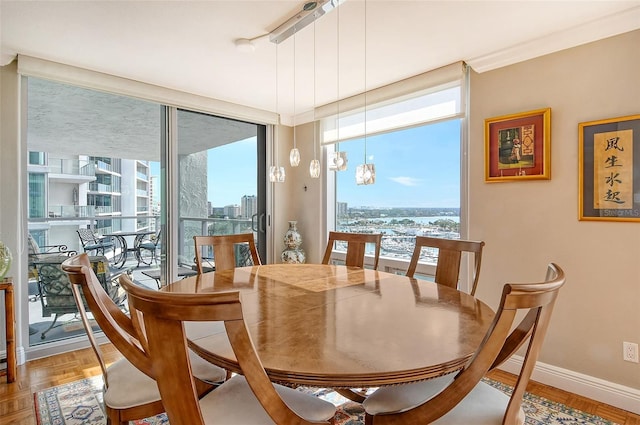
607	26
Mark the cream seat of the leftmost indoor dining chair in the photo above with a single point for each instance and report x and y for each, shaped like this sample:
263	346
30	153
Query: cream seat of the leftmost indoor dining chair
129	387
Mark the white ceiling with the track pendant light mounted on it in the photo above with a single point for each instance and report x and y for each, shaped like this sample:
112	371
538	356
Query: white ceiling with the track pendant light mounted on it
190	45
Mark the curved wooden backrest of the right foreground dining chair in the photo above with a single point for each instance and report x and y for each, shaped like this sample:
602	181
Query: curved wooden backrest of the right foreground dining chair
536	300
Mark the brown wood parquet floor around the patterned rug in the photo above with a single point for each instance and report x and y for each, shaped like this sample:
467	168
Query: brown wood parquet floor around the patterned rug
16	399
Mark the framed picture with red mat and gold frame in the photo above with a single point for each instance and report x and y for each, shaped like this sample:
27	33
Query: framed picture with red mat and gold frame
518	146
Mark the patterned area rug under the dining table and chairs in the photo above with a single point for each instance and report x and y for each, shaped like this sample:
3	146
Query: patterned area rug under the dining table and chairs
80	403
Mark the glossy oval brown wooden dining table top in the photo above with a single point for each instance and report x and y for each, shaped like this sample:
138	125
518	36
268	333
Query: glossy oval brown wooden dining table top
342	327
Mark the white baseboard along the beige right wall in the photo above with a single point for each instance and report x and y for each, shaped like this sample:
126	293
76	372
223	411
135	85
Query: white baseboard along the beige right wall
616	395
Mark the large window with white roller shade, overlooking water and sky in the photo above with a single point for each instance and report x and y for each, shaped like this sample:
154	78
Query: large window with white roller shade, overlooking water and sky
414	141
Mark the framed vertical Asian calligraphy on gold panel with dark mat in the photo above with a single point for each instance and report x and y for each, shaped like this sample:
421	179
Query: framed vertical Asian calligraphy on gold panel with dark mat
609	169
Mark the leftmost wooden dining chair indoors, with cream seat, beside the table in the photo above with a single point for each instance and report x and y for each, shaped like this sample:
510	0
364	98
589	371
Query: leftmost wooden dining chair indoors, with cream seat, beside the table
130	393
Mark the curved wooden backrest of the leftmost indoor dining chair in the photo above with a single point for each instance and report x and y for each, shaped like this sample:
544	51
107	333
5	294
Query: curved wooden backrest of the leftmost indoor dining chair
115	324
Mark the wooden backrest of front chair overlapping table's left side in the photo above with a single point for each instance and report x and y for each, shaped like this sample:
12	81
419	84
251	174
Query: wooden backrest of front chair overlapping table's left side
163	314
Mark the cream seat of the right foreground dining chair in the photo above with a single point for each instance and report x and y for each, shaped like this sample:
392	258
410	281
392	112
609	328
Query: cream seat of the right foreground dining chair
484	405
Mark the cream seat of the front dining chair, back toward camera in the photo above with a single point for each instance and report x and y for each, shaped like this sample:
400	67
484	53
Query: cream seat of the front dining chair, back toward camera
233	403
